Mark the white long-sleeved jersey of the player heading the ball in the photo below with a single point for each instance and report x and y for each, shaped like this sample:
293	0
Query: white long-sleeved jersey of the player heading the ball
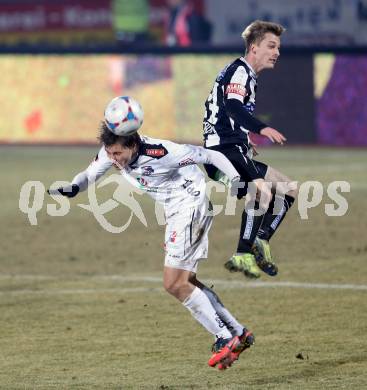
165	170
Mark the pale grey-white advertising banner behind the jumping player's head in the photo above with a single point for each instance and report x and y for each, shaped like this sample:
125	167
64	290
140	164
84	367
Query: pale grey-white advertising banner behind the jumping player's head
311	22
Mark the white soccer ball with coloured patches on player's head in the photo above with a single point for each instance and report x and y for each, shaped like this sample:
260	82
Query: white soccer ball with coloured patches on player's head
123	115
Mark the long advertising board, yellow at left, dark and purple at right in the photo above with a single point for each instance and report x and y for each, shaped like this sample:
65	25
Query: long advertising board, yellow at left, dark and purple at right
61	99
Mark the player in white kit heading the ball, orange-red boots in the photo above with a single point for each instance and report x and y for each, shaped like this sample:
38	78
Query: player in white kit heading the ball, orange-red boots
168	172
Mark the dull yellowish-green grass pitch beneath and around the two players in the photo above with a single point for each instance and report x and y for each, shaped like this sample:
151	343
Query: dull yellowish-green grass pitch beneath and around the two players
82	308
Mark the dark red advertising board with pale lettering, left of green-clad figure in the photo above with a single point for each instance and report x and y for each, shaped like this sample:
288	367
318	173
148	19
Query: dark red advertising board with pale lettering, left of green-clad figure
62	22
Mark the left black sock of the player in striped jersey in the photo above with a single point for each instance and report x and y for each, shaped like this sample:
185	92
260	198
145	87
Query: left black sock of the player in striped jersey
250	225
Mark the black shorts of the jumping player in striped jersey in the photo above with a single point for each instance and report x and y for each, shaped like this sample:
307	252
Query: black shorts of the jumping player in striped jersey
236	153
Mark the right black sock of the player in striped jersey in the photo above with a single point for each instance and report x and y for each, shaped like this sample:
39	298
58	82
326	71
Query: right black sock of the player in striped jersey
273	218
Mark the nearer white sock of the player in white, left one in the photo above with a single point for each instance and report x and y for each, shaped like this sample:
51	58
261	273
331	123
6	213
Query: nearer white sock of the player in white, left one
203	311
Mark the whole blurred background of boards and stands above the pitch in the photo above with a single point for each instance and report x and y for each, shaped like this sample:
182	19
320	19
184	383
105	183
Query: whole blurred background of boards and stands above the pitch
62	61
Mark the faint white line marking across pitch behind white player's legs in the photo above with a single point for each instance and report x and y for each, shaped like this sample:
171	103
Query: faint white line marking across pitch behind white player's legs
221	284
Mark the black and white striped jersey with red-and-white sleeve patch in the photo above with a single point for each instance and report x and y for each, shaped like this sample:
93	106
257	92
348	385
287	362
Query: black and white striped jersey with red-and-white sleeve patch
236	81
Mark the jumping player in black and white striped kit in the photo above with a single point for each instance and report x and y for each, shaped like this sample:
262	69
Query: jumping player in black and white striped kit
227	123
